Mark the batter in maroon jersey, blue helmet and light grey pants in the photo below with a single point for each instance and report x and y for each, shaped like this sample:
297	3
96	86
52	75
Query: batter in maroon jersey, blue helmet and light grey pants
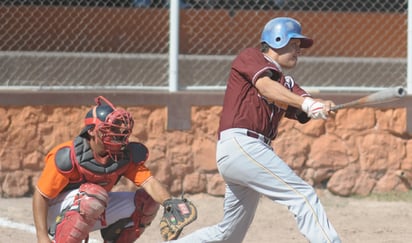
258	96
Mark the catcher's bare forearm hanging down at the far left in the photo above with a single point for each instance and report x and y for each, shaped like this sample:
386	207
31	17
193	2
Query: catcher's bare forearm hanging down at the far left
40	210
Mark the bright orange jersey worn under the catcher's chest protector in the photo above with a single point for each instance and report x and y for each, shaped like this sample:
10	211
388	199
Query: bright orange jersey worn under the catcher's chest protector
54	179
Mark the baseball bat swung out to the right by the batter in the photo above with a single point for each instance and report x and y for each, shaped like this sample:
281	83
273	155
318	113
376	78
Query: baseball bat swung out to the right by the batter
383	96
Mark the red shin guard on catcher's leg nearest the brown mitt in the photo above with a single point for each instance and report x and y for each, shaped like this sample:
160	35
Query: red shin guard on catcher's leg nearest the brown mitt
128	230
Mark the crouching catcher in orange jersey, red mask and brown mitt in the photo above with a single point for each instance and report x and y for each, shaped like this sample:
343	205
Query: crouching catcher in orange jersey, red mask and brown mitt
73	194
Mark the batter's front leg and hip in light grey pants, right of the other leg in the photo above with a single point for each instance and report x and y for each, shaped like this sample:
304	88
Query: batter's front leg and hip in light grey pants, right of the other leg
255	165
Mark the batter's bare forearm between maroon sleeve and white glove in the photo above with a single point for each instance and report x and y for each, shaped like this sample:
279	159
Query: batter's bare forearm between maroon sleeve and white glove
276	92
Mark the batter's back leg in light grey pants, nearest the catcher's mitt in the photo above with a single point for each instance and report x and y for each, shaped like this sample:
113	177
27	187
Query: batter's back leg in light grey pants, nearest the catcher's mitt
240	200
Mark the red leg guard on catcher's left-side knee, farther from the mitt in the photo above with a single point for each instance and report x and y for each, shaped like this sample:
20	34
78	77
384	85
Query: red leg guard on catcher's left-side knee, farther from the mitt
75	223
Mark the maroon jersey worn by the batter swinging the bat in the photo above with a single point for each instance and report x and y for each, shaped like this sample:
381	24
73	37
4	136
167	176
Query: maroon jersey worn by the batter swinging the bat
243	107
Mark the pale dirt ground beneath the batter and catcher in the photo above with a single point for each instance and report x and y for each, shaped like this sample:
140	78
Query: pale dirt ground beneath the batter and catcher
366	220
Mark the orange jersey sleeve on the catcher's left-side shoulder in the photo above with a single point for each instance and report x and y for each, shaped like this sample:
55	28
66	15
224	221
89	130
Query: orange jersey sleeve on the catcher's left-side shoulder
51	182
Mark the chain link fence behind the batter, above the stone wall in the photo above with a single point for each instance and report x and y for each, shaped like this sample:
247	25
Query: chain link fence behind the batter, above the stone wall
120	44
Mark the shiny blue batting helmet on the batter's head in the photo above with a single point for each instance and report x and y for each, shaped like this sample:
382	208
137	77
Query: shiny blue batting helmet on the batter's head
278	32
